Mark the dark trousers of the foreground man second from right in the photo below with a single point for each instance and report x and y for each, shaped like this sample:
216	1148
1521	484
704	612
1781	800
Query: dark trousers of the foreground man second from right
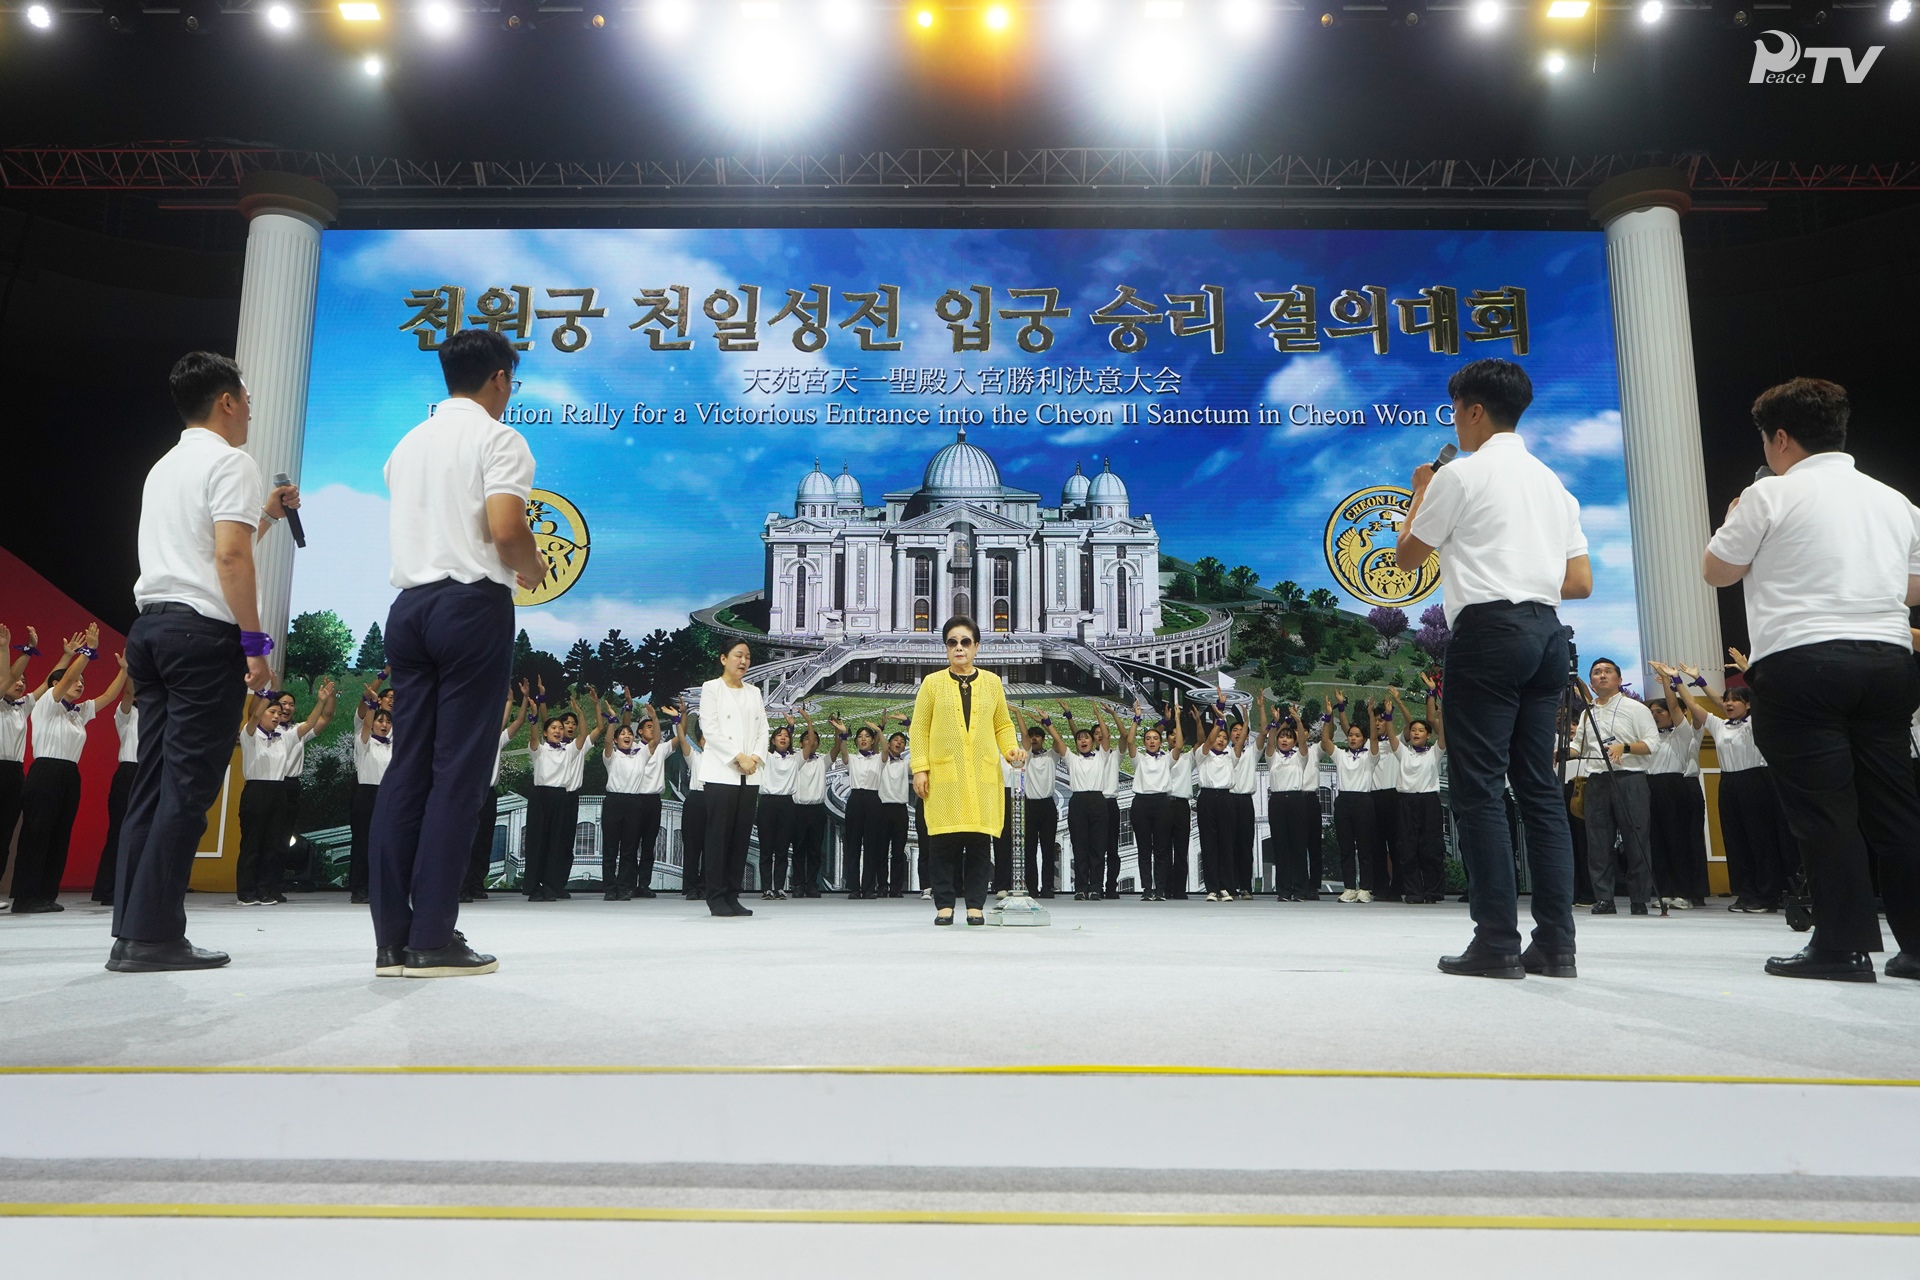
1506	669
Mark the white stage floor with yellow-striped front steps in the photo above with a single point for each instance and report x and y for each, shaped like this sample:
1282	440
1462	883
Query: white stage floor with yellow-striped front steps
840	1079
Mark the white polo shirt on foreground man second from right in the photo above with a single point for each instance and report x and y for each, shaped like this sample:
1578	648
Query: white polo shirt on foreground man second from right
1504	527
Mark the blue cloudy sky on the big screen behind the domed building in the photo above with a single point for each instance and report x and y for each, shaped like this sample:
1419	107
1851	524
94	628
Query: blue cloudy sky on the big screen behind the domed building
677	511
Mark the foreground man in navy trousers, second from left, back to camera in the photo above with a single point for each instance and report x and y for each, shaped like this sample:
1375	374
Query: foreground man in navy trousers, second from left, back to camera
462	542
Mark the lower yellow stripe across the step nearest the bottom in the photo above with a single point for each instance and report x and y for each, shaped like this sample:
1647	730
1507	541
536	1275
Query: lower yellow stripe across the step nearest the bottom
871	1218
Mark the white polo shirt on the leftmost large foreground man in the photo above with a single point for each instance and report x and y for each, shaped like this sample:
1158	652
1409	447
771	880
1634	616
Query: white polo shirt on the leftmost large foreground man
201	483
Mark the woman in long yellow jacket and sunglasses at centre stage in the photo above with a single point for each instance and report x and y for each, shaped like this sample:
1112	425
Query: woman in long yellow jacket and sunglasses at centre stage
959	738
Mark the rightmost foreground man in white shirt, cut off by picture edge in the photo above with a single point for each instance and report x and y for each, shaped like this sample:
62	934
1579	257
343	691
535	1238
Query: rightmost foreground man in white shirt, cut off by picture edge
1831	561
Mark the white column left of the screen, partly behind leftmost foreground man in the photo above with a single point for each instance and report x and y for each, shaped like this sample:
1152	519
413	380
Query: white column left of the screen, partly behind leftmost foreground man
274	350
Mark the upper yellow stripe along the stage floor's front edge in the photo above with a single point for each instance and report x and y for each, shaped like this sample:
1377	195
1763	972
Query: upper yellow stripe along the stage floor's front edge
1040	1070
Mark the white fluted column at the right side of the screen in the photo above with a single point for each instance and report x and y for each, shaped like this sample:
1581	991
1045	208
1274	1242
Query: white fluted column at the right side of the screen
1660	417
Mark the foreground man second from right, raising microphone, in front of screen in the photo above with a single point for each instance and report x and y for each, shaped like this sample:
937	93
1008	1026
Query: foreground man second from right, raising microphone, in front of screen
1510	552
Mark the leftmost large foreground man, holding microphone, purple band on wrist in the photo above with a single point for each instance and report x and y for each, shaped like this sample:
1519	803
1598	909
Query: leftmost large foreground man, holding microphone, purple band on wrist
193	653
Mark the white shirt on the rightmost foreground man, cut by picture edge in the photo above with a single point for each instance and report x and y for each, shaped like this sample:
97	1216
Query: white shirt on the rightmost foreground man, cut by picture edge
1829	554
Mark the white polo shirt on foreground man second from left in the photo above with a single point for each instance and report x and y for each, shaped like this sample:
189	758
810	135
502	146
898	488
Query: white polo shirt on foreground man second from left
441	477
